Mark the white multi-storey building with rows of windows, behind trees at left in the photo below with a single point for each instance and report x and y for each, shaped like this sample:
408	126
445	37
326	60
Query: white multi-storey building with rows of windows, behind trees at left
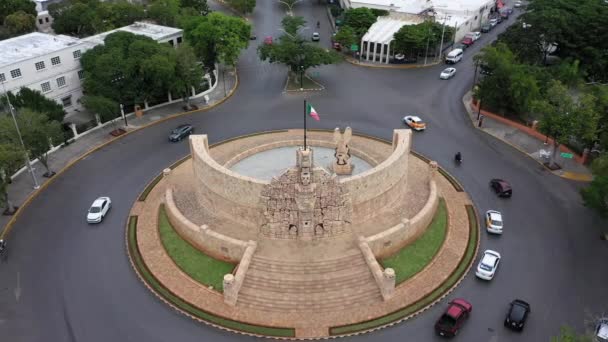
51	63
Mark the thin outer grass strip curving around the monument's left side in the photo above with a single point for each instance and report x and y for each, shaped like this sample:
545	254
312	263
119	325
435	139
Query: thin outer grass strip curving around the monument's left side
187	307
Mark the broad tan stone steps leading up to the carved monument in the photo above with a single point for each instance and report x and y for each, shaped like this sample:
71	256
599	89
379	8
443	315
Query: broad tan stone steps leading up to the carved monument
319	286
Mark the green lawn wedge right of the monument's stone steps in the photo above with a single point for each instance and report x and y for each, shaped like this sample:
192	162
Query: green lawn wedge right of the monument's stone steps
413	258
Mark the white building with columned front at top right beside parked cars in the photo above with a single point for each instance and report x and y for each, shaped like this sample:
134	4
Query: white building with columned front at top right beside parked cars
462	15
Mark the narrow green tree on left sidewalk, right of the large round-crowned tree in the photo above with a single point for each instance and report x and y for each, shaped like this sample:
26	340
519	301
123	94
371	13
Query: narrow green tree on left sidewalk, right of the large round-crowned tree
188	72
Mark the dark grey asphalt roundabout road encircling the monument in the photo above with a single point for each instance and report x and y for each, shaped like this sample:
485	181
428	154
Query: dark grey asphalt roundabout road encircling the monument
67	281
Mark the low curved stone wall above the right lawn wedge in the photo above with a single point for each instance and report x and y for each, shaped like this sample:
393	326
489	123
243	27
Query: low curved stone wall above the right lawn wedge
391	240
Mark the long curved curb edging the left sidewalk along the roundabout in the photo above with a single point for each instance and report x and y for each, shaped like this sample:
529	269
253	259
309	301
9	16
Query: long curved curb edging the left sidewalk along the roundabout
9	225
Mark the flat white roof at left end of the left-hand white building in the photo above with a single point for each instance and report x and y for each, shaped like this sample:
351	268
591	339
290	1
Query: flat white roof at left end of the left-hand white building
31	45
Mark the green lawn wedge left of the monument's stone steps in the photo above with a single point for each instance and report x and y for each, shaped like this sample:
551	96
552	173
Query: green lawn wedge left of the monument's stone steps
199	266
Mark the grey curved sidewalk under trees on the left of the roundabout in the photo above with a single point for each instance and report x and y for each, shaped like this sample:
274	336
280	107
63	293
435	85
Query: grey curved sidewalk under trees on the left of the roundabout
21	190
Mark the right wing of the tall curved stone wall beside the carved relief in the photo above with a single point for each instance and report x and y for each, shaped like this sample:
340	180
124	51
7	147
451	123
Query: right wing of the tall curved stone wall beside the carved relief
381	186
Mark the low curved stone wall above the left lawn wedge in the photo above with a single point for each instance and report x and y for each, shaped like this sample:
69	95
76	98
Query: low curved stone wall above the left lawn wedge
212	243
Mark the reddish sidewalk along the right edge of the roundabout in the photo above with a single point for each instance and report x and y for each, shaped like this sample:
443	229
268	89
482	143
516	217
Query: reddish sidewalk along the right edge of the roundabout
528	141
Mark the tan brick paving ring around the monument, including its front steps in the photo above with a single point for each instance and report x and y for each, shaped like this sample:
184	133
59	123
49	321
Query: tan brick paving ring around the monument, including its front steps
262	308
